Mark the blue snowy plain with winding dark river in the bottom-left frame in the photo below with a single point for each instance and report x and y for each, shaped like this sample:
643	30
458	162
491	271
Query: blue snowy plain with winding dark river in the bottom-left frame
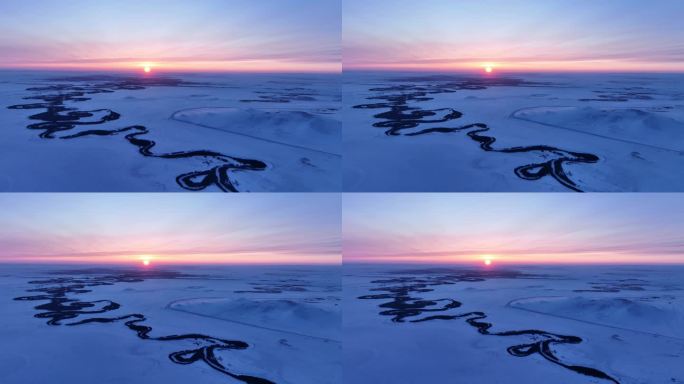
270	308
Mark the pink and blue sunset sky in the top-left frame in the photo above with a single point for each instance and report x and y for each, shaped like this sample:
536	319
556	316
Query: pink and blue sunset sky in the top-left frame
206	35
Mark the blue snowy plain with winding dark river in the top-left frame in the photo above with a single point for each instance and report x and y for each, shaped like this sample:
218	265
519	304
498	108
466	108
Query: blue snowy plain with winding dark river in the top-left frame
212	132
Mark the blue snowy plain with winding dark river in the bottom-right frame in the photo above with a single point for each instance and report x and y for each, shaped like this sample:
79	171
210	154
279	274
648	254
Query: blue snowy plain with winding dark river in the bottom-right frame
551	324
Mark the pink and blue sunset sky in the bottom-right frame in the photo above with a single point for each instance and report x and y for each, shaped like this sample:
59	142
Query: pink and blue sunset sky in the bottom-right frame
543	228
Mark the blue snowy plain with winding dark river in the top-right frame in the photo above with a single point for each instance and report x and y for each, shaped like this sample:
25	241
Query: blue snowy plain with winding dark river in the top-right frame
513	132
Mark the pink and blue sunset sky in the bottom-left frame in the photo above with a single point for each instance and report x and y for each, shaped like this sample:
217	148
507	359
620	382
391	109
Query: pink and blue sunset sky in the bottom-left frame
170	228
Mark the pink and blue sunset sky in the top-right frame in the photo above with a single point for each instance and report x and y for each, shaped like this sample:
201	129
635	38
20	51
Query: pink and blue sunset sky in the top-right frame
527	35
